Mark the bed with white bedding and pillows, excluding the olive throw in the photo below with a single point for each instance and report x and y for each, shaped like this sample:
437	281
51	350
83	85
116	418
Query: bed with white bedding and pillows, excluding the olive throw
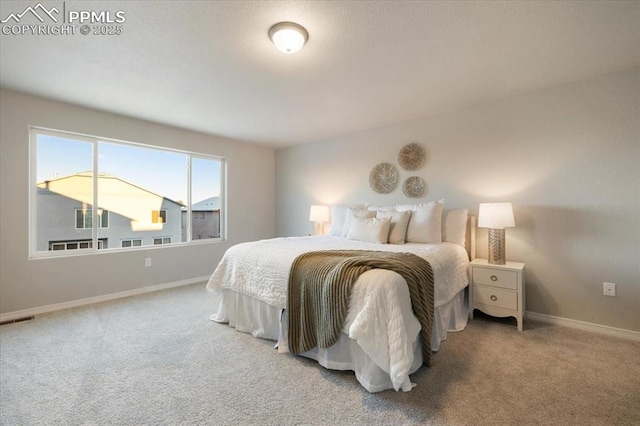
380	339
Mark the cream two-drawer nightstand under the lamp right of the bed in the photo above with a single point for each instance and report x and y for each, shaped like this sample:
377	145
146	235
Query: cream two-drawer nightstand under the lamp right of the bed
497	290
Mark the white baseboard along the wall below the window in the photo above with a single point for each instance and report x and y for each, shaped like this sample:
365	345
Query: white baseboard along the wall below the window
12	316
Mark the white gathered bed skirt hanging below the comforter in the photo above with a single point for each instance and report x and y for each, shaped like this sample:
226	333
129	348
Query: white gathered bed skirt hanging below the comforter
249	315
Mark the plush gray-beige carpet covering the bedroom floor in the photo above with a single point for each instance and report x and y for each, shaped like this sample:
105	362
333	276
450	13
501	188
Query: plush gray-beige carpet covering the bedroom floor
158	360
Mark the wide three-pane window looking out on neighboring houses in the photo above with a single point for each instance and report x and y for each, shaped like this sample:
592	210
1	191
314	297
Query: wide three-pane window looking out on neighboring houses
122	192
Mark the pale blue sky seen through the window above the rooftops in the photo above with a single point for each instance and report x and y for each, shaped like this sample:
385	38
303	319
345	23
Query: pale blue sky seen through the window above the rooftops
161	172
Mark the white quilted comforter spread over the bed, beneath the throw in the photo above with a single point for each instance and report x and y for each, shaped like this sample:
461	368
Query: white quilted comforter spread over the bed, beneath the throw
380	318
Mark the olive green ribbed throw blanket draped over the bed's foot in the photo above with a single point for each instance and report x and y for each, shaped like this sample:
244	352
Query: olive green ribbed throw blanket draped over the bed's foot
320	284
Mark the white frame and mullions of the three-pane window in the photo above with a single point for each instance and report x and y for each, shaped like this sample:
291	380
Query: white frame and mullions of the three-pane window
97	244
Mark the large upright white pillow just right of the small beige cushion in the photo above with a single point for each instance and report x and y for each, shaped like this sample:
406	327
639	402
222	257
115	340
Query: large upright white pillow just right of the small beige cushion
425	225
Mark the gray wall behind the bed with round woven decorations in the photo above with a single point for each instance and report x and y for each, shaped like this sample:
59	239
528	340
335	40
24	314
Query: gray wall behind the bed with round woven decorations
566	157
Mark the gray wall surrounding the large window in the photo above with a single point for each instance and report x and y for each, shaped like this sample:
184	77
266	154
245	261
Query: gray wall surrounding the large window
28	283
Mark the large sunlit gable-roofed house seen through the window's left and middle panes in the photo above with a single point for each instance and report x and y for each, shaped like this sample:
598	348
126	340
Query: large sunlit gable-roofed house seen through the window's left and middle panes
128	215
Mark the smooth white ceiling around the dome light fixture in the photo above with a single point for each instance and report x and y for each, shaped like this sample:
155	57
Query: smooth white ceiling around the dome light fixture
210	66
